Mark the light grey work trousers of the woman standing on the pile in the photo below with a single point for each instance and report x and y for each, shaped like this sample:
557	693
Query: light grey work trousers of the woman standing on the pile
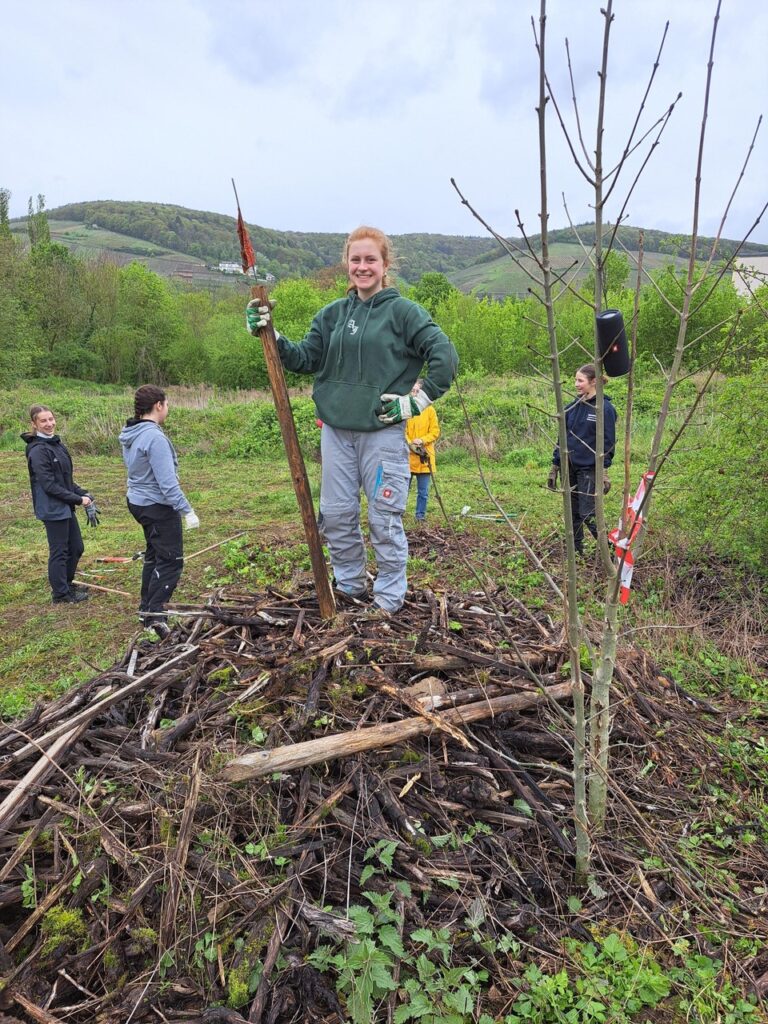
376	462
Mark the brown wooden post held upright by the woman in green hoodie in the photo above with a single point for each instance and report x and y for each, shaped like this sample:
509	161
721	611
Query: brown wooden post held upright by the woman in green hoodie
295	460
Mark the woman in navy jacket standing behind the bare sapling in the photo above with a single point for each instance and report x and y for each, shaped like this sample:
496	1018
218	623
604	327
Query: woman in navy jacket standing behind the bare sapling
581	431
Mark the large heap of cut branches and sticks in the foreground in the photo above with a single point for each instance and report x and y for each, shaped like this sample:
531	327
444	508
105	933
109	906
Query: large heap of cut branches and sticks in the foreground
217	827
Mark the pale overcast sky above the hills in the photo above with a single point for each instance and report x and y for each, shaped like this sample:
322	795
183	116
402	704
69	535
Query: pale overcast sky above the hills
332	113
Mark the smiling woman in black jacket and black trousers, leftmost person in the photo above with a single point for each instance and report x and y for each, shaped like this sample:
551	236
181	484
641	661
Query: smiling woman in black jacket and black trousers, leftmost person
55	498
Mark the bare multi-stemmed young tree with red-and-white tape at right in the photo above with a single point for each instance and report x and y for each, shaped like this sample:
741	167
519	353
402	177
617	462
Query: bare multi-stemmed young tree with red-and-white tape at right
705	321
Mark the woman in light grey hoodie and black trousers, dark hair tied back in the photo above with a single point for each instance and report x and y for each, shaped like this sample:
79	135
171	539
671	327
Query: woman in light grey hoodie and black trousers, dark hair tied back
157	502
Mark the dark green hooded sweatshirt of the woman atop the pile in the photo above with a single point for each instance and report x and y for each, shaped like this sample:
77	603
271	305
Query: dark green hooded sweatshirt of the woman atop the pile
361	351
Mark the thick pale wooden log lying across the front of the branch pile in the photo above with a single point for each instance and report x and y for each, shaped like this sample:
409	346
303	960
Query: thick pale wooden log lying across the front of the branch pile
343	745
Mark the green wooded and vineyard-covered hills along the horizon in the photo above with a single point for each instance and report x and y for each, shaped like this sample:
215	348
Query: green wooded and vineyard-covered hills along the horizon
179	242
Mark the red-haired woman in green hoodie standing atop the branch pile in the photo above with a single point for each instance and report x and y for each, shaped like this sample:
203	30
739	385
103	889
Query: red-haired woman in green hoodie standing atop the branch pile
366	352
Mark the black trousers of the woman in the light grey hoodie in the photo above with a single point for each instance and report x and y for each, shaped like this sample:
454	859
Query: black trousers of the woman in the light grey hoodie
164	558
